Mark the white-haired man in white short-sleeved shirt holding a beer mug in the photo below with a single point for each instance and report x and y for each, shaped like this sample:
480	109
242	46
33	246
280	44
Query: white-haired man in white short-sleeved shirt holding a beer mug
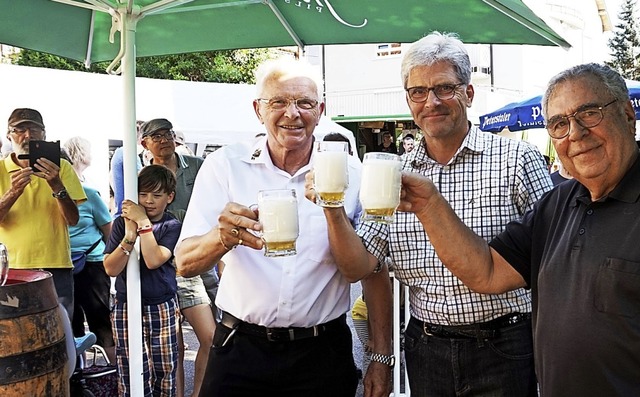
283	330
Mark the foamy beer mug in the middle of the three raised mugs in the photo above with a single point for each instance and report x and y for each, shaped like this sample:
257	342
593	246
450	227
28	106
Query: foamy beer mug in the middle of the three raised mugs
330	168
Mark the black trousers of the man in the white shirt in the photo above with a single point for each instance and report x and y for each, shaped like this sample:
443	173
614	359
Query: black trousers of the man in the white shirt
252	366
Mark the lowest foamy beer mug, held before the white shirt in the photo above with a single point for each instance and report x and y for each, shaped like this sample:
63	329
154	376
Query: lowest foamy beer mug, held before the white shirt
278	213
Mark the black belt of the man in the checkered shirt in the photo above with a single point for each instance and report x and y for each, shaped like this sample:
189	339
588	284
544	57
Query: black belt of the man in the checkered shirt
486	330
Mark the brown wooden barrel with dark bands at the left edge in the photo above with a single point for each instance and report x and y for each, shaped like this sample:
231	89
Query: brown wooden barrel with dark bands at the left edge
33	354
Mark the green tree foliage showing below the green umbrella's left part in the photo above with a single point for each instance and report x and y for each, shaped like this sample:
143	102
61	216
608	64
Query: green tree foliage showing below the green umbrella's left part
229	66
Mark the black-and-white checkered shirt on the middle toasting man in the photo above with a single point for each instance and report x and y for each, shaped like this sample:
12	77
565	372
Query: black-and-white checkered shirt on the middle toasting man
490	181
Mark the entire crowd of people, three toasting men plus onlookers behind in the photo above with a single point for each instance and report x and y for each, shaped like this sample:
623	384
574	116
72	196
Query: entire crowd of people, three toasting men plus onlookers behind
517	287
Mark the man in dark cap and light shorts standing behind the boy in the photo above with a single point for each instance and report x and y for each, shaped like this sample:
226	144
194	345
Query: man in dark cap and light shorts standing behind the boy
159	139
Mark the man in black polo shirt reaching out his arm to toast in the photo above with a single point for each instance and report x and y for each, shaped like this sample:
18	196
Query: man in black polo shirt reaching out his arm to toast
577	249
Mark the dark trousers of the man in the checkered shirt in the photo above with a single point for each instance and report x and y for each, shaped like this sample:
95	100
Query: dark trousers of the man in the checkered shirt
458	367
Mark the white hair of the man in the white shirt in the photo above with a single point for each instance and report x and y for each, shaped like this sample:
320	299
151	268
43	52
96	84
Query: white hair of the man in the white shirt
285	66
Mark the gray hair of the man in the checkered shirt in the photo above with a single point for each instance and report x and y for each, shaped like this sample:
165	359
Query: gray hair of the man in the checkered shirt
437	47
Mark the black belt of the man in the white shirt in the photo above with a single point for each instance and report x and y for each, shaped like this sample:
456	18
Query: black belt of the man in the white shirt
281	334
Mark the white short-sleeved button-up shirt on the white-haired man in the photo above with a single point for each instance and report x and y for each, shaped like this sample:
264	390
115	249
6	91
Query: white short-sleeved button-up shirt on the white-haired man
302	290
